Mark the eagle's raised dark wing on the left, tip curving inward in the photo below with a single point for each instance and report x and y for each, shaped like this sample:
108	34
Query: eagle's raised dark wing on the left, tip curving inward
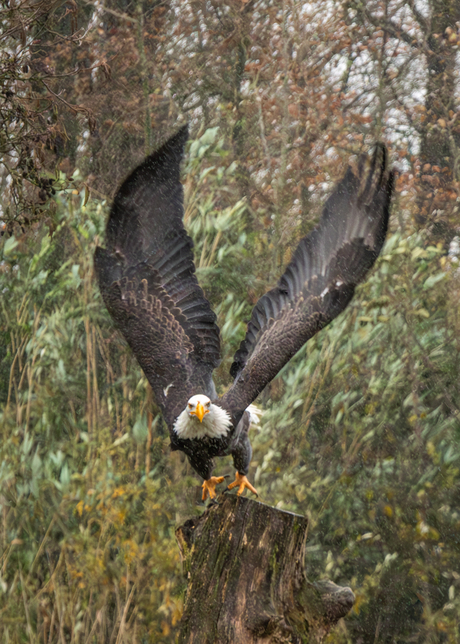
147	280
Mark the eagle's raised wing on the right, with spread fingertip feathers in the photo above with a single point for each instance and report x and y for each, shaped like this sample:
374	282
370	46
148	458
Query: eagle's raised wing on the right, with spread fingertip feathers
318	283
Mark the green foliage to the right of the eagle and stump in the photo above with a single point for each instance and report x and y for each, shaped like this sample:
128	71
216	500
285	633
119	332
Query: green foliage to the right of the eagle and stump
368	422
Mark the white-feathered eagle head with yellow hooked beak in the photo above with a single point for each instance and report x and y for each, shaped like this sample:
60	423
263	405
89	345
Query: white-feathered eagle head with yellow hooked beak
202	418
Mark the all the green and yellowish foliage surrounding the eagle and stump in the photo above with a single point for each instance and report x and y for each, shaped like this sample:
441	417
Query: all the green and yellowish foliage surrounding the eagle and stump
360	433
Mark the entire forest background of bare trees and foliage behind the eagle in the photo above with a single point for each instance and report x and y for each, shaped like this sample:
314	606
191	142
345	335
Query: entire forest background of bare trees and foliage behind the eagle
360	431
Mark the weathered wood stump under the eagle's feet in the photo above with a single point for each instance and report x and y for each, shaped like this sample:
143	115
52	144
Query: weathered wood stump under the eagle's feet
245	564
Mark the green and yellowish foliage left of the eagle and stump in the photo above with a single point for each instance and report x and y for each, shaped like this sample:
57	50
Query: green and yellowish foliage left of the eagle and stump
88	511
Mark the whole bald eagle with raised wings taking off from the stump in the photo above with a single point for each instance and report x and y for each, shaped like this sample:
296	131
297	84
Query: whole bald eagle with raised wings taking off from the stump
147	279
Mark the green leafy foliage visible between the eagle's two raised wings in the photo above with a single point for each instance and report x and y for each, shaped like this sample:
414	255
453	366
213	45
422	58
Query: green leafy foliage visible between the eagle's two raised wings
223	255
